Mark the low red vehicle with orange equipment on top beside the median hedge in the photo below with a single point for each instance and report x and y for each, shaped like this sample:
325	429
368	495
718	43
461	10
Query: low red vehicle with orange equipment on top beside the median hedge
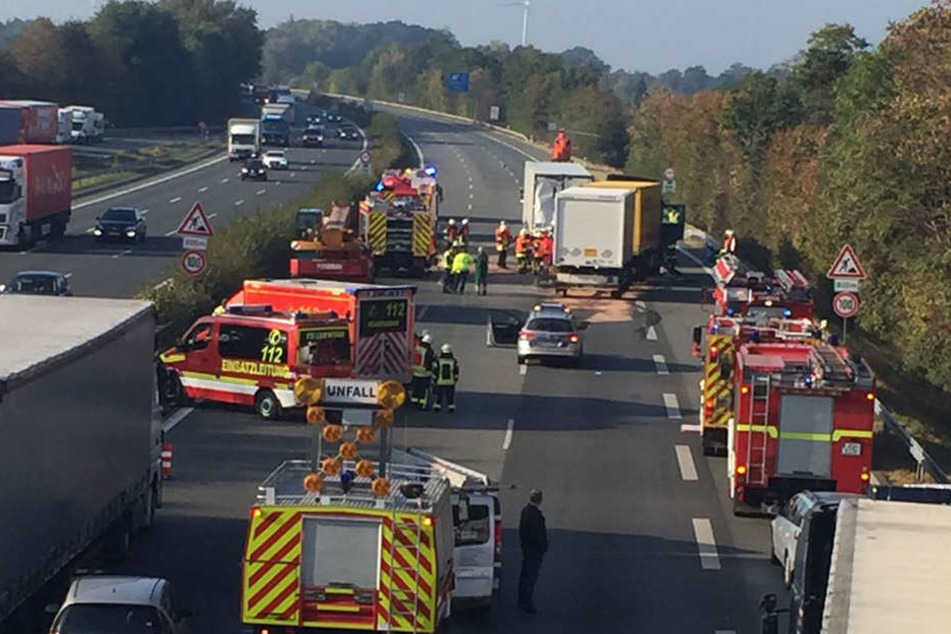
330	246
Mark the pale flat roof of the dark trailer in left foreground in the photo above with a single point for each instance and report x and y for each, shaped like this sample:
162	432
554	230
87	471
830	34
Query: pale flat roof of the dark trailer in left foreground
39	329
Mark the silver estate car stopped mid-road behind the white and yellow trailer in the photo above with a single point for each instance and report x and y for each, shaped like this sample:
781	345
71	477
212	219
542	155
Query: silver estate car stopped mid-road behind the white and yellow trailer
551	333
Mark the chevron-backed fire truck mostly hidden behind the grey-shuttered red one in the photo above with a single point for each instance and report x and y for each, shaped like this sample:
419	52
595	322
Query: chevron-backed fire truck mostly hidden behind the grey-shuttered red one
722	337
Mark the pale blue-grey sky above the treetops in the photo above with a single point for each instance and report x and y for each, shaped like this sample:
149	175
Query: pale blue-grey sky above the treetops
651	36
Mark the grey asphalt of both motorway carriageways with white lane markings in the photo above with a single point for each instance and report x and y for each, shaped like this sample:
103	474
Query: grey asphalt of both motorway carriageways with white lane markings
642	533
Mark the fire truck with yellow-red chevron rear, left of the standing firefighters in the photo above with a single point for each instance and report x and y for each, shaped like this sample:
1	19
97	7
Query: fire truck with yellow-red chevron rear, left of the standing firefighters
400	217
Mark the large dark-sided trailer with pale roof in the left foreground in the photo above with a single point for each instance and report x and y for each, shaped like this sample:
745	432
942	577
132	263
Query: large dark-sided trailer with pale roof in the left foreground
80	435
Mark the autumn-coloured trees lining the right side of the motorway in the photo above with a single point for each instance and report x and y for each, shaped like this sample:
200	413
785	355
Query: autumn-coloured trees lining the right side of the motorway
849	147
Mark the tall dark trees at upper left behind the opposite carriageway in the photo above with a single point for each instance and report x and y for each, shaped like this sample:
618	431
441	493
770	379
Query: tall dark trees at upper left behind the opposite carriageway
172	62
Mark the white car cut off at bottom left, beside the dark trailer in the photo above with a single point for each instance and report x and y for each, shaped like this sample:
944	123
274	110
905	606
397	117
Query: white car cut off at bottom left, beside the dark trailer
120	605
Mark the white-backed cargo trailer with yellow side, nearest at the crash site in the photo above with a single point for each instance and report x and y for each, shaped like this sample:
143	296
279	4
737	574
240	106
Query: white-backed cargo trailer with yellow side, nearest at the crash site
607	235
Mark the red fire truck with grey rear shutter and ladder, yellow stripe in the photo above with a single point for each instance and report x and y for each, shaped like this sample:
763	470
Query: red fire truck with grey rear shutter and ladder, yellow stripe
802	419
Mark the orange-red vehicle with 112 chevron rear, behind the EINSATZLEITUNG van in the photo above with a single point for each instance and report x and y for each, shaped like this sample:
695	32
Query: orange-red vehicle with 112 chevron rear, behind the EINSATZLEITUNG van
380	318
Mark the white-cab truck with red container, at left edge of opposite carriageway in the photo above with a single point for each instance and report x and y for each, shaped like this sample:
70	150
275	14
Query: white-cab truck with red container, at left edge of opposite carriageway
35	192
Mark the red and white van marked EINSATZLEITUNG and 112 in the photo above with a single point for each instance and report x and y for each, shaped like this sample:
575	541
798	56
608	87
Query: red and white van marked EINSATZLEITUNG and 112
253	355
